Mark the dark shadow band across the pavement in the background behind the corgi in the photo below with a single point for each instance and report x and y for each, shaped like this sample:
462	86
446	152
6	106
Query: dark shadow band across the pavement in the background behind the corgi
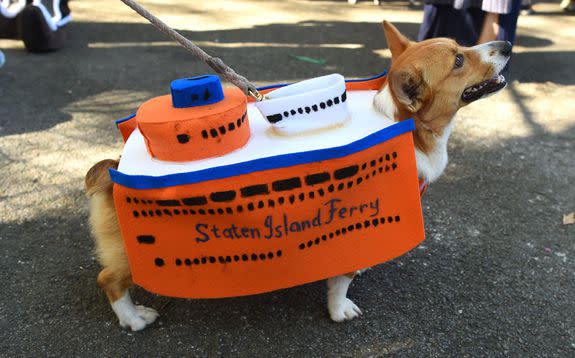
103	57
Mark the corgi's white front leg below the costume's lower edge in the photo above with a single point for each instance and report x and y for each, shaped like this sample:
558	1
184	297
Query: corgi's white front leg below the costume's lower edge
340	307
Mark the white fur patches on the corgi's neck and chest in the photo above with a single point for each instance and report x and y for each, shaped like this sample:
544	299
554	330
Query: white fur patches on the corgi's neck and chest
430	165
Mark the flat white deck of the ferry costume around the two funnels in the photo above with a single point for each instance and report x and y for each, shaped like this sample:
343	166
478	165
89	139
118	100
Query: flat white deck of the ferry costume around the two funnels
264	142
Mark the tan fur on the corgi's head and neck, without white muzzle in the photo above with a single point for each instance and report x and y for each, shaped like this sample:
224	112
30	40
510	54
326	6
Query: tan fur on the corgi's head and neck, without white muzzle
424	85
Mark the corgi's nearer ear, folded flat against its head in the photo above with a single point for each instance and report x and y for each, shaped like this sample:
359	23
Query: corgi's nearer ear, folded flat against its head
408	87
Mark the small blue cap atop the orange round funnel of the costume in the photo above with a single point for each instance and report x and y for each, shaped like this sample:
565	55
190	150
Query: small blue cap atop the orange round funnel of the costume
196	91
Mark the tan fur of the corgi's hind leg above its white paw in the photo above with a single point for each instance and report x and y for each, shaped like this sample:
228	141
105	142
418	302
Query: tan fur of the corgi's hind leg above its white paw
115	278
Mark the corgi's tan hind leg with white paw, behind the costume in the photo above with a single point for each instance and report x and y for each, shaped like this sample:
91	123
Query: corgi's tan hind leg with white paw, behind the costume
115	279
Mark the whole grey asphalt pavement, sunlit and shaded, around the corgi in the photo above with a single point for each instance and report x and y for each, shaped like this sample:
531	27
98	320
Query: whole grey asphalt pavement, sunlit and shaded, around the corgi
494	278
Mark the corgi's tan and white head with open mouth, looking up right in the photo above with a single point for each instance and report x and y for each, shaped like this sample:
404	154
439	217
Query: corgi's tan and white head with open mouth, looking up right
431	80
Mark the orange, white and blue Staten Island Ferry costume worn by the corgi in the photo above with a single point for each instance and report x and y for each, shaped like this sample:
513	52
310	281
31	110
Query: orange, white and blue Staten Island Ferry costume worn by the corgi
218	196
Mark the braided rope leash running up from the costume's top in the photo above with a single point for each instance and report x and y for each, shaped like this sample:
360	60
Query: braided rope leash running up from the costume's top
214	62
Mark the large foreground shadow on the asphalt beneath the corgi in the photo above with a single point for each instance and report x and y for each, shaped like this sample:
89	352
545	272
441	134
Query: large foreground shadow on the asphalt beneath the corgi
489	280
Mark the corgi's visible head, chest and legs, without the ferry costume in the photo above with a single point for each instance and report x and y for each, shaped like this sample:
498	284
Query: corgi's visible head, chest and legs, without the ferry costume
428	81
